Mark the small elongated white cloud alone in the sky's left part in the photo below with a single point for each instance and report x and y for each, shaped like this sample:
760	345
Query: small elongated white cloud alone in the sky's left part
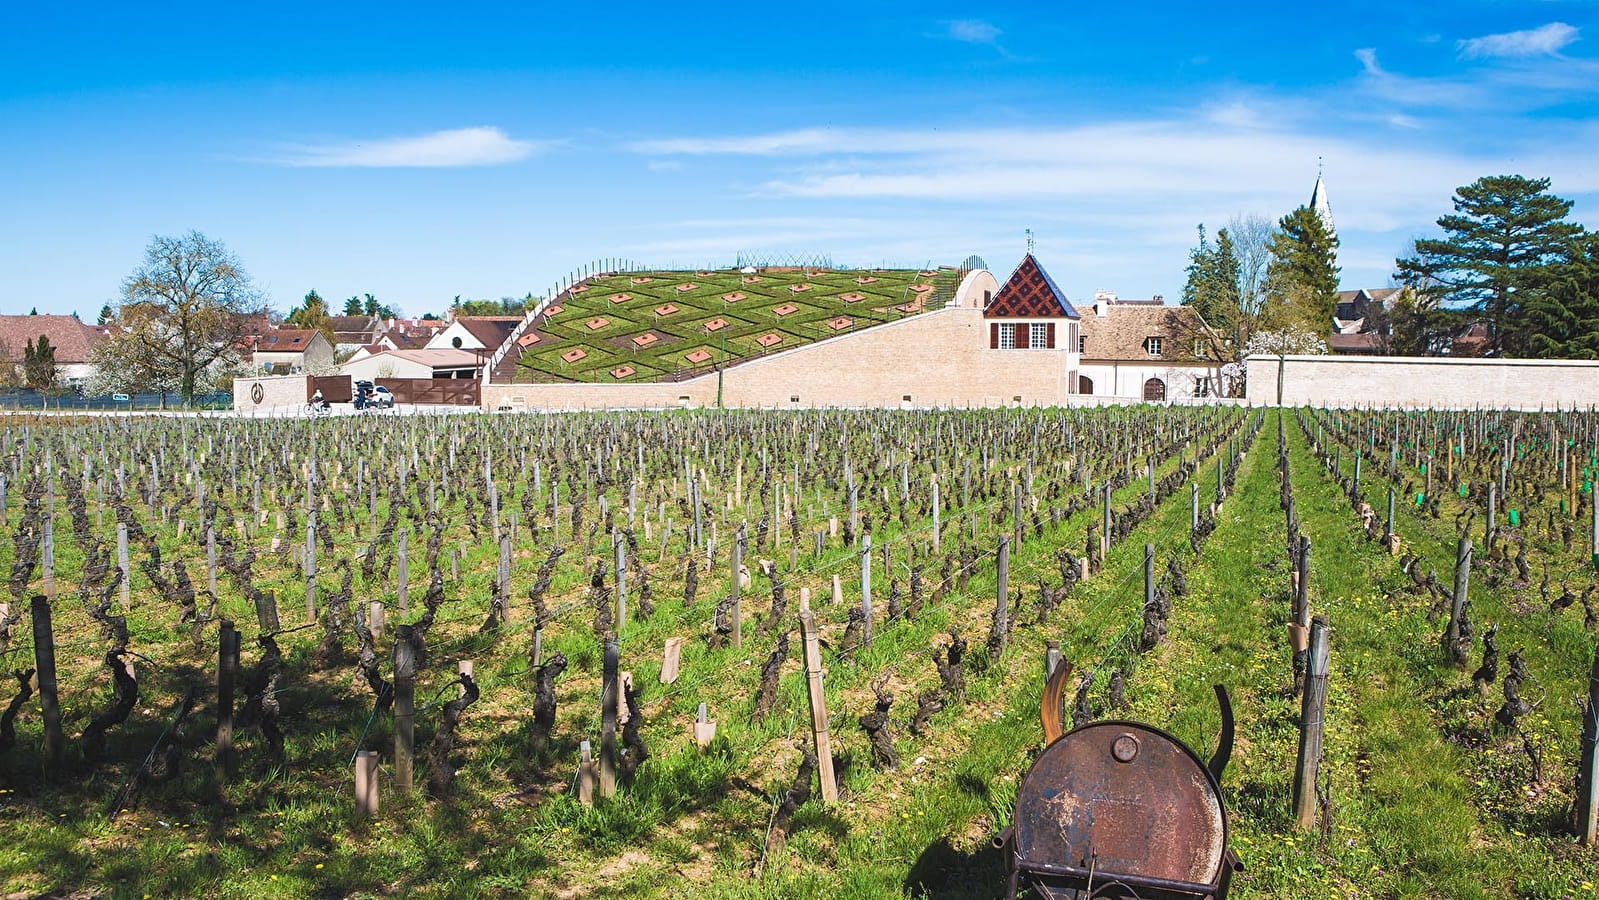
439	149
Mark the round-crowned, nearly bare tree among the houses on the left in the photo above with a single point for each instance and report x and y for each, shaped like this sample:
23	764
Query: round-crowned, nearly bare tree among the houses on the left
183	317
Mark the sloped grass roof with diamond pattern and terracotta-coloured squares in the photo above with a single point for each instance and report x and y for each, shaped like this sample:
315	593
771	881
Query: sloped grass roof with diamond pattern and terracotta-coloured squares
701	321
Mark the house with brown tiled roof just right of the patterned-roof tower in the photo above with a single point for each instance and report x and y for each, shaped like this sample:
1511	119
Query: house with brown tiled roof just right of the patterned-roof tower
1146	351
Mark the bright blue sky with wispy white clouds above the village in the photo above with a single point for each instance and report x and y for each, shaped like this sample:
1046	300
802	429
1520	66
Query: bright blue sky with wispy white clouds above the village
485	151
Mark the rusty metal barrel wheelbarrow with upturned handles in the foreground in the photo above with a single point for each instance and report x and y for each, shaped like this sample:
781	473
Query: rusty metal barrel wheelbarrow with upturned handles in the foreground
1120	810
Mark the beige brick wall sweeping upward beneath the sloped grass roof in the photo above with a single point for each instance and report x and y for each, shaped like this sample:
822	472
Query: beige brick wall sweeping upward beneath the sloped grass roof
939	359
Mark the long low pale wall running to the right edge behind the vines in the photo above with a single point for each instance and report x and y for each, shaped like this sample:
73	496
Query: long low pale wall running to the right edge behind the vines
1424	383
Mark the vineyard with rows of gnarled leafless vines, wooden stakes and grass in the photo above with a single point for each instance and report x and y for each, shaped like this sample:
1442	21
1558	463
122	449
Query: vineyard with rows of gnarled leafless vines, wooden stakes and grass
596	656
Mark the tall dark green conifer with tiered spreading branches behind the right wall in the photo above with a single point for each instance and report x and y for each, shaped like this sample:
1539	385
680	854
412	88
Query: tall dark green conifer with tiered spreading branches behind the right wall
1505	233
